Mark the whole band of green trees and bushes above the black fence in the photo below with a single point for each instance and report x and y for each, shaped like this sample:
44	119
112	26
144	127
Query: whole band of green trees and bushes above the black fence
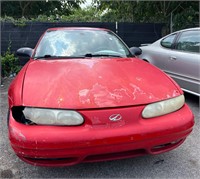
185	13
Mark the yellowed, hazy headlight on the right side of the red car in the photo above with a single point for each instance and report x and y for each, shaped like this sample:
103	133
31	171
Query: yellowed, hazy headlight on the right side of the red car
163	107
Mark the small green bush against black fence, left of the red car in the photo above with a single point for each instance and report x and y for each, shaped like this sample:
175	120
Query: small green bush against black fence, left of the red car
9	64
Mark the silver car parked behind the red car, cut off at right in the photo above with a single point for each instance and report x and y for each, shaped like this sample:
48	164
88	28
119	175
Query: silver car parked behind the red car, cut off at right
177	54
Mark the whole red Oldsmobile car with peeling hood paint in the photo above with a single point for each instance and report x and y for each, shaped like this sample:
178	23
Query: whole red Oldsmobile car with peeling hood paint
83	96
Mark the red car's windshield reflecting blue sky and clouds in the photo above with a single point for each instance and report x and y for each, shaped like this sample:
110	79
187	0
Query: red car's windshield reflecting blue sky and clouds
80	43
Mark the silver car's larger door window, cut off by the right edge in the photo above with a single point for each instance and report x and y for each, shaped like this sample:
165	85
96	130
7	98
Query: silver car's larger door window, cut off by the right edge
189	41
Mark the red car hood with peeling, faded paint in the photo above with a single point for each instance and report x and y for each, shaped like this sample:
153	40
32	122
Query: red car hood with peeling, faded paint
94	83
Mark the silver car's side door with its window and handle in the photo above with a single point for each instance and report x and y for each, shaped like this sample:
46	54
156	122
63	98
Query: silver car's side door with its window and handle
183	62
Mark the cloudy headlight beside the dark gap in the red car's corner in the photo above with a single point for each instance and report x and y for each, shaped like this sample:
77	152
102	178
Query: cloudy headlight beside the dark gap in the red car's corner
52	116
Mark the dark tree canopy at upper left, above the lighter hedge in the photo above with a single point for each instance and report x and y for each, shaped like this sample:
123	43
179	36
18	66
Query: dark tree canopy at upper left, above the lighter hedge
32	9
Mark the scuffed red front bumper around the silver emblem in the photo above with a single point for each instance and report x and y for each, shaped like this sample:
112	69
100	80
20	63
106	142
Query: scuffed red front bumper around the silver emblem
100	141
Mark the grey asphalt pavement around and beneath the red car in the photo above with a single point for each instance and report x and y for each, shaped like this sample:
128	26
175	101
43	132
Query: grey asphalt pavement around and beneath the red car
183	162
